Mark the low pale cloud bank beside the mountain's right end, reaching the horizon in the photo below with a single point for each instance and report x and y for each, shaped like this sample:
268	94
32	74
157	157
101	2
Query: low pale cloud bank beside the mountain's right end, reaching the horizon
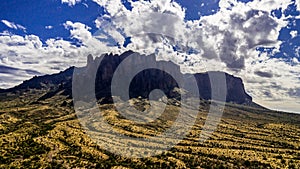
274	84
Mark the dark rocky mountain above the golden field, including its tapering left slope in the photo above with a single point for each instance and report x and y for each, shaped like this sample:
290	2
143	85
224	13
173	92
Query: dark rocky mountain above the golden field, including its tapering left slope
101	71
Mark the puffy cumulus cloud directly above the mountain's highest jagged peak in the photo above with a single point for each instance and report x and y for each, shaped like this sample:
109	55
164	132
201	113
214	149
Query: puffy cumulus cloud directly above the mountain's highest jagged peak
151	25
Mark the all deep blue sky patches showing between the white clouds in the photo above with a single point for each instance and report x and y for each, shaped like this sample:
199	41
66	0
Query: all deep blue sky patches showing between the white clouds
35	16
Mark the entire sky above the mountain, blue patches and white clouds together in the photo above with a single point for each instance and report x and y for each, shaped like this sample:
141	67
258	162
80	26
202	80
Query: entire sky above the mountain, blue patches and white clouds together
257	40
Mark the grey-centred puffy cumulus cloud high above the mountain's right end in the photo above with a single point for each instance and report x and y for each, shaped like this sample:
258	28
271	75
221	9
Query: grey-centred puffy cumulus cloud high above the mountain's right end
241	28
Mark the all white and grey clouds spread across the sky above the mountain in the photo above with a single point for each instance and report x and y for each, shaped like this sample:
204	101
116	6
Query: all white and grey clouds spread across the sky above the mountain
226	40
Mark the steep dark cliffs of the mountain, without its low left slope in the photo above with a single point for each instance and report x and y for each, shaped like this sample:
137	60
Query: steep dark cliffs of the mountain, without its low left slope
149	79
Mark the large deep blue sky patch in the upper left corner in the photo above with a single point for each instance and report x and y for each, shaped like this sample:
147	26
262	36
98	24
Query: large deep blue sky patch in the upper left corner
36	15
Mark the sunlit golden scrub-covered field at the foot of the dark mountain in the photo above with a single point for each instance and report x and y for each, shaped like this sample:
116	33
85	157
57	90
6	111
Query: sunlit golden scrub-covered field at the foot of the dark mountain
48	134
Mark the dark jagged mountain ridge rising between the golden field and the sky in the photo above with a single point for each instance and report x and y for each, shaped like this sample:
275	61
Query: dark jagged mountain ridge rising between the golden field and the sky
142	84
